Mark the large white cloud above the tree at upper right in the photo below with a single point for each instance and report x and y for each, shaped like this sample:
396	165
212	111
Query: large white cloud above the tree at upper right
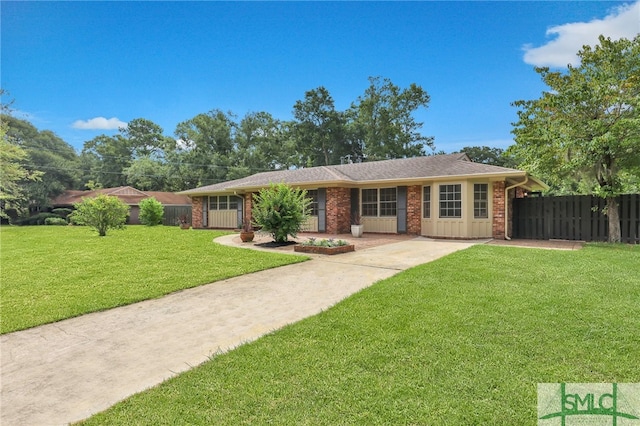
622	22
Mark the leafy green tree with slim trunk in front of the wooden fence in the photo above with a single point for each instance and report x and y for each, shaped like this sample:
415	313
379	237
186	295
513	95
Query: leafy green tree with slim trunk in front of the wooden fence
587	122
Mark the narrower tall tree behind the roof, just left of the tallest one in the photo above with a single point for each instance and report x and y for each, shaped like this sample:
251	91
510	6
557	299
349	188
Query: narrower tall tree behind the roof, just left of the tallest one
319	129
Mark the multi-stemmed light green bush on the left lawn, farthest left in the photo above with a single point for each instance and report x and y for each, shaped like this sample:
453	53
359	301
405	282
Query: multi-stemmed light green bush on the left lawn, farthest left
101	213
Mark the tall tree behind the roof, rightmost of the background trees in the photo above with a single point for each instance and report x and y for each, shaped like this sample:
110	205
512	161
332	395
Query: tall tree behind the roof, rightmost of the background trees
384	121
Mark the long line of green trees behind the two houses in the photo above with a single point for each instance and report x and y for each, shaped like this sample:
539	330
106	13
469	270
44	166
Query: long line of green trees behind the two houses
216	146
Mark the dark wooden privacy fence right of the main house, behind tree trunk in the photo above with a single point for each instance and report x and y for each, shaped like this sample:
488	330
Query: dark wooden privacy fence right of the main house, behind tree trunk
574	217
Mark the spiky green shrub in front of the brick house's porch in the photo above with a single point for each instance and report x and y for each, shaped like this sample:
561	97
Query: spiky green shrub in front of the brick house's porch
281	210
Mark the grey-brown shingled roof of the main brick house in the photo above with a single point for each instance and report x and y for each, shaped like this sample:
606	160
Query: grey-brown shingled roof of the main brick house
404	169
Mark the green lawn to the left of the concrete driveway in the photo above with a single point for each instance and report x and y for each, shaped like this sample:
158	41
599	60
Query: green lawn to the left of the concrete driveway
49	273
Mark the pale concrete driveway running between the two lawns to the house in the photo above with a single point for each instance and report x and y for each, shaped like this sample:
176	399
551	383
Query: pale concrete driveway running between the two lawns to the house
67	371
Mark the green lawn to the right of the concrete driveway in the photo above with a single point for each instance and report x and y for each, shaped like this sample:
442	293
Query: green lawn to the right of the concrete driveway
462	340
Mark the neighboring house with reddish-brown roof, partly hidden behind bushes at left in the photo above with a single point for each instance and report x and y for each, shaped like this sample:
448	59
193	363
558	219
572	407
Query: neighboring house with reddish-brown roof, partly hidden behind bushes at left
131	197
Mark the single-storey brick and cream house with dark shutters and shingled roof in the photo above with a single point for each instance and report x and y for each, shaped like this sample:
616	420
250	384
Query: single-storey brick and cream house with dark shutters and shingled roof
437	196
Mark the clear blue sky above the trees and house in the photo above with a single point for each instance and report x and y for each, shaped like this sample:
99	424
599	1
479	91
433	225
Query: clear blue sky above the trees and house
81	69
